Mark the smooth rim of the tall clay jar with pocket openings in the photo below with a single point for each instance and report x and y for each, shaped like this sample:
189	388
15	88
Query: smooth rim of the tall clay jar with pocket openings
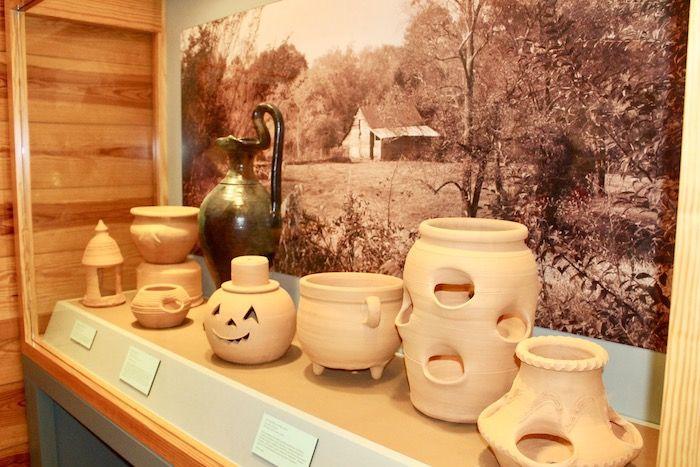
473	230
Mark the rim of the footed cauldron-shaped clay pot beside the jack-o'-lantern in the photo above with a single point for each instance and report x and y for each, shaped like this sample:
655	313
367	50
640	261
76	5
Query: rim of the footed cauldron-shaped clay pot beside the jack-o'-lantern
384	284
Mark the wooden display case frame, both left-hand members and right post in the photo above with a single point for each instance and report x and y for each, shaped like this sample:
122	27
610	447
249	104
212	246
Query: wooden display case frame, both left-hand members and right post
680	421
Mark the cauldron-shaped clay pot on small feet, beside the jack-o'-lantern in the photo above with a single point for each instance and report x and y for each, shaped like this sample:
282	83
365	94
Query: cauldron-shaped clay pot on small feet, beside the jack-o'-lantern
346	320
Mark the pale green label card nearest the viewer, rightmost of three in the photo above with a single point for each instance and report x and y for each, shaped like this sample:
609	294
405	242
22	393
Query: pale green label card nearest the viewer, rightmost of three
282	444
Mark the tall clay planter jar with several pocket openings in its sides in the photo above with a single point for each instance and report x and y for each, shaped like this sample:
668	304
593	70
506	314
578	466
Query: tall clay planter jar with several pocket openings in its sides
472	288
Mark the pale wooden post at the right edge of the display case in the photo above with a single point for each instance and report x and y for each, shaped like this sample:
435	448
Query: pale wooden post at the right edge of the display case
679	440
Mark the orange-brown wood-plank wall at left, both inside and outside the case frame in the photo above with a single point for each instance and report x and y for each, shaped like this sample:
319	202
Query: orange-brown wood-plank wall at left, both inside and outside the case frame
92	123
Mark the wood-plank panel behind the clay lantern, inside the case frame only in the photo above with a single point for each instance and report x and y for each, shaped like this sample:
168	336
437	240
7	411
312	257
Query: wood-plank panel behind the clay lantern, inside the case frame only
90	91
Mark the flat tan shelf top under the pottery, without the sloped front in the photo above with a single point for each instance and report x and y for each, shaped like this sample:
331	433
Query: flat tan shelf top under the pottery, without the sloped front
378	411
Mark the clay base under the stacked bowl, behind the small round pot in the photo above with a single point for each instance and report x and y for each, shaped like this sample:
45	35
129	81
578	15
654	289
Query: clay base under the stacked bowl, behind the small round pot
187	274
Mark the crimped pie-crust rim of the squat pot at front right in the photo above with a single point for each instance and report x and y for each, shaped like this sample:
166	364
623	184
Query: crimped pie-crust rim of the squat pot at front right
598	359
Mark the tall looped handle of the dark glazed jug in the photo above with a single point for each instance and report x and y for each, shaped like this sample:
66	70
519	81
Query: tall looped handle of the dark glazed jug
277	150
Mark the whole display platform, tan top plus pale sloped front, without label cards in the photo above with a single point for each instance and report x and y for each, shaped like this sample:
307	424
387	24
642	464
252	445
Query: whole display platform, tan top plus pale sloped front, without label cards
359	421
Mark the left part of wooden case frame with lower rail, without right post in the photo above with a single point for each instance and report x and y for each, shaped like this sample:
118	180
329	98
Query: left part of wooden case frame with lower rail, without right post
165	440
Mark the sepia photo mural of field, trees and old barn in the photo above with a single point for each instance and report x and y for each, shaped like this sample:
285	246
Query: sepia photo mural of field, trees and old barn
560	114
